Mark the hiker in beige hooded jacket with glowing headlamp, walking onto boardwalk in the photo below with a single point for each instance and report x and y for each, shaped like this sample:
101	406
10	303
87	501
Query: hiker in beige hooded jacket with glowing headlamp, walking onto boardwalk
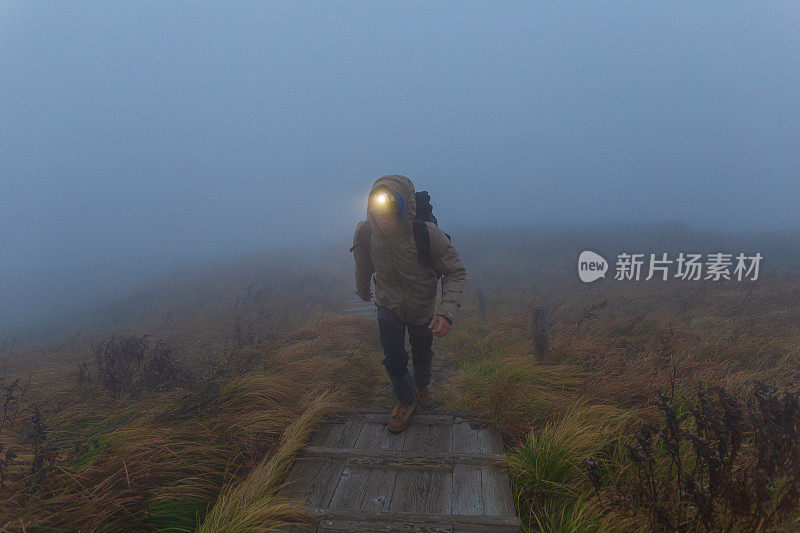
407	252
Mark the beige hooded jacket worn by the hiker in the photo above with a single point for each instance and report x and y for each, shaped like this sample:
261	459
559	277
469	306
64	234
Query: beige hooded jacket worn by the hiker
401	283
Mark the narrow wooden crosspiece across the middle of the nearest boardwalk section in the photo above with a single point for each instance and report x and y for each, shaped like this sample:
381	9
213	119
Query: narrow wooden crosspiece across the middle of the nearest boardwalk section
400	457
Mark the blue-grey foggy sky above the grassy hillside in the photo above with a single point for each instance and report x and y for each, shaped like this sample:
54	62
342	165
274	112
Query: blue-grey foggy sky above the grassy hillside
140	137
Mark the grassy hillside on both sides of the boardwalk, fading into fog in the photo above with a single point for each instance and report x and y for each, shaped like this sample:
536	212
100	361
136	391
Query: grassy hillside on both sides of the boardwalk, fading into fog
663	405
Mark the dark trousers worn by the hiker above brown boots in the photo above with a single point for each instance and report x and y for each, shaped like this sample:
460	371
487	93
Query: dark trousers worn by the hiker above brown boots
393	340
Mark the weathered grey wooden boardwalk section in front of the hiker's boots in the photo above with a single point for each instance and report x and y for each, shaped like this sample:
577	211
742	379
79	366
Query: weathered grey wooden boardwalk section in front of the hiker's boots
442	473
